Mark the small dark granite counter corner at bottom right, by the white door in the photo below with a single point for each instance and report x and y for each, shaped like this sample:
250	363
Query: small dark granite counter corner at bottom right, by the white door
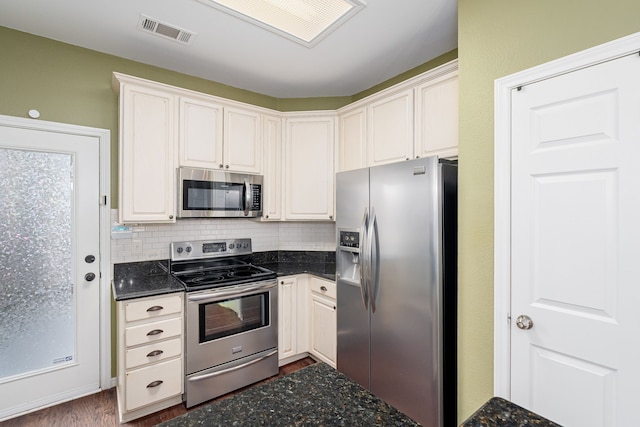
498	412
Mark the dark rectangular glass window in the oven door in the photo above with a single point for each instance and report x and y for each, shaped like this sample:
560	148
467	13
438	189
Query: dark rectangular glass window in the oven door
229	317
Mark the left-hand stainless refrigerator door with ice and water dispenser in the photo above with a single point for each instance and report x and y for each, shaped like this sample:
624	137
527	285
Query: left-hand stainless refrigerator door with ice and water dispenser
352	201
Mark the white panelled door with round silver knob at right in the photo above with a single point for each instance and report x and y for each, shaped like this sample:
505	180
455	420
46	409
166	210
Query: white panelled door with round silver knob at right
575	245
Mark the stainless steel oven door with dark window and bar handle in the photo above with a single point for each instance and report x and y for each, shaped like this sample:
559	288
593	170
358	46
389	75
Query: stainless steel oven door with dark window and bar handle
230	323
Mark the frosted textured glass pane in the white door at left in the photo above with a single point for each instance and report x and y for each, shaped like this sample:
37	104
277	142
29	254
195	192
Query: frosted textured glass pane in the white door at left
36	261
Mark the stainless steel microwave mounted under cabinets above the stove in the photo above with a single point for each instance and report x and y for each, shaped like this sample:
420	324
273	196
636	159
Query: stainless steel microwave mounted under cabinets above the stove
210	193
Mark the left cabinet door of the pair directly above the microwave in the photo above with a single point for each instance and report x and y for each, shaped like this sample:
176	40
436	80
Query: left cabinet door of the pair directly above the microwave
200	133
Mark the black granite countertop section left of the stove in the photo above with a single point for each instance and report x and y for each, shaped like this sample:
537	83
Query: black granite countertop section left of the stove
143	279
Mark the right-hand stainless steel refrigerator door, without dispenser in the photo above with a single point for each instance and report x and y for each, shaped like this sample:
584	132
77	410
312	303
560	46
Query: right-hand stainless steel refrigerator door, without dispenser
405	322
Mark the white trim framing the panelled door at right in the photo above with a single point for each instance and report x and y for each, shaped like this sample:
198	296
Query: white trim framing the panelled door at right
502	187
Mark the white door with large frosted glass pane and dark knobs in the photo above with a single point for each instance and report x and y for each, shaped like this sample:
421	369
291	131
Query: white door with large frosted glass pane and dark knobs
49	268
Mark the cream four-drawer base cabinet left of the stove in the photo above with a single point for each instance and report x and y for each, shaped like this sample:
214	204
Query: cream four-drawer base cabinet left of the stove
150	362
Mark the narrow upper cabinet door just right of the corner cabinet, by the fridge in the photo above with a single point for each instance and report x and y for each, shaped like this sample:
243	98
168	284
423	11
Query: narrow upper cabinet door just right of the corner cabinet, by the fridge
353	140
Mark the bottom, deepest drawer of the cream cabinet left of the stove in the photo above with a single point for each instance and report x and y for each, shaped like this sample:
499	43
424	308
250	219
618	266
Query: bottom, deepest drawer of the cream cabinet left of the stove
152	384
